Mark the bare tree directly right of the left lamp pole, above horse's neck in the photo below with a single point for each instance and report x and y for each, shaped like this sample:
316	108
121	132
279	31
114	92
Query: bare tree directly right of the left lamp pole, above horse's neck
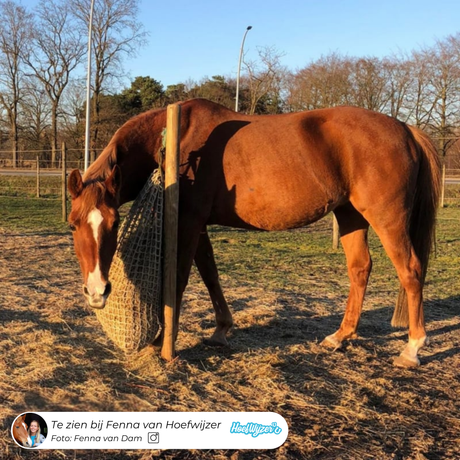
117	32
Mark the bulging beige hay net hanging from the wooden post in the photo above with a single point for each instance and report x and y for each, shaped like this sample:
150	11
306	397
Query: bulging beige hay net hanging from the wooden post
131	317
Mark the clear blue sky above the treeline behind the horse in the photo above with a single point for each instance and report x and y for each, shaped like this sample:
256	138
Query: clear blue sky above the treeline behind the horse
201	38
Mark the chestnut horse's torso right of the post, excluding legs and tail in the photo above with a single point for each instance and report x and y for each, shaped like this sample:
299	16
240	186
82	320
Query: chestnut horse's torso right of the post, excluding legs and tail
288	170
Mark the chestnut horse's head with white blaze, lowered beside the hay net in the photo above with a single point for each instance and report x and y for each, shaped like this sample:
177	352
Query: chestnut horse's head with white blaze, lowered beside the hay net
94	223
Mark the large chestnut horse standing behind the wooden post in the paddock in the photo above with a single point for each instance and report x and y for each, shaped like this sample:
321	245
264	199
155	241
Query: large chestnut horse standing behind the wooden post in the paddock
273	172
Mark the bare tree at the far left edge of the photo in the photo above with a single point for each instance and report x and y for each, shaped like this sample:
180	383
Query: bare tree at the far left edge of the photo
14	38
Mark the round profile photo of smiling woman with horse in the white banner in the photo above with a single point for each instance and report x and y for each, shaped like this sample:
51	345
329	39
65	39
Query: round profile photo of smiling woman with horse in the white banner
29	430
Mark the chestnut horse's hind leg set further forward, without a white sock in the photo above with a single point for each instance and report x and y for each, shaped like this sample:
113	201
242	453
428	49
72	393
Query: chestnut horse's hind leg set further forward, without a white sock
353	230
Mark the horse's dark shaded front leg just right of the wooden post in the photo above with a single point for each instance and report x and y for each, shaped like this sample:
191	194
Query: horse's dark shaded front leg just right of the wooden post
204	259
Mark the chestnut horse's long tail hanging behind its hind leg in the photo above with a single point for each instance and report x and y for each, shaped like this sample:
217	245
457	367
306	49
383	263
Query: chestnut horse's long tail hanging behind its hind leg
423	217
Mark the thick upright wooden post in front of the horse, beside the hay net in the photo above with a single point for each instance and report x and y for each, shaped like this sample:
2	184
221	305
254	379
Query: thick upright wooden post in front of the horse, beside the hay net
170	226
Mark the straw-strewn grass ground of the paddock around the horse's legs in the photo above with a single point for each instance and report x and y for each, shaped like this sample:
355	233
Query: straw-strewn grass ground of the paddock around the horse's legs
287	291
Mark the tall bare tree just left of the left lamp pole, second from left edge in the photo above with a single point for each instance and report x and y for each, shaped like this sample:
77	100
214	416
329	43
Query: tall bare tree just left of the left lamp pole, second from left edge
57	51
